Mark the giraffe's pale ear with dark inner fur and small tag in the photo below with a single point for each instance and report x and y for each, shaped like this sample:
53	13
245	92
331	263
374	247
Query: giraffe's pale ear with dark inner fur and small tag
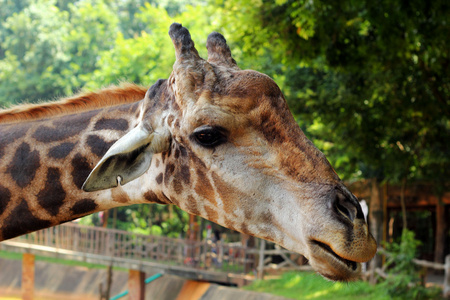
127	159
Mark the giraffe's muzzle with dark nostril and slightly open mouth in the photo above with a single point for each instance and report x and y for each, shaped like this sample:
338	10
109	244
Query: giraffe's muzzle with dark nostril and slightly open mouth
337	250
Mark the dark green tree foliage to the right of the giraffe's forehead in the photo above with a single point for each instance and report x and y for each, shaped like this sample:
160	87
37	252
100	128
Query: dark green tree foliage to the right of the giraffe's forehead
368	77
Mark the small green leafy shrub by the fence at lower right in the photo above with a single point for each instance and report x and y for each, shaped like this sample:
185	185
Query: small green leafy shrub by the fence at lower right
403	281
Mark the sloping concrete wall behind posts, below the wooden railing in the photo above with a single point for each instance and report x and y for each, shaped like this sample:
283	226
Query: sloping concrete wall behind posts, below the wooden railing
55	281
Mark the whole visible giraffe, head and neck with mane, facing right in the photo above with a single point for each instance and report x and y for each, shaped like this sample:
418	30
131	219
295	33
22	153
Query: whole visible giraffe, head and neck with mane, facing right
215	140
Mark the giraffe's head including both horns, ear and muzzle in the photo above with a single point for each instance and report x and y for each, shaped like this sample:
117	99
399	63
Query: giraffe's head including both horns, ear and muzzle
221	143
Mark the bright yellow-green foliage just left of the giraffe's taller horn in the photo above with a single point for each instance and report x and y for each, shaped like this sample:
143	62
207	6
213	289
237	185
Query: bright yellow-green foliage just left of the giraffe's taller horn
142	59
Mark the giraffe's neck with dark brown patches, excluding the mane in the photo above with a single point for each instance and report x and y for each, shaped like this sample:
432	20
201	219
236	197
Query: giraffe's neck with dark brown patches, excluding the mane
45	162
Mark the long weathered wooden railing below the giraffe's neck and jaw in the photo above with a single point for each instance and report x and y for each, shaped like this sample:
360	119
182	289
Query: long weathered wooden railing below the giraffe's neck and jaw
122	244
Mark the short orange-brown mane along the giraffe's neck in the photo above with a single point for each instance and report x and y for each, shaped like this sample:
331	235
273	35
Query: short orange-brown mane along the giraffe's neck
109	96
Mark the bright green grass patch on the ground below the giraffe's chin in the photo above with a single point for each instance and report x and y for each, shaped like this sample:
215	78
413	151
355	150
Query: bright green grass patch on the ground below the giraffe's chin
301	285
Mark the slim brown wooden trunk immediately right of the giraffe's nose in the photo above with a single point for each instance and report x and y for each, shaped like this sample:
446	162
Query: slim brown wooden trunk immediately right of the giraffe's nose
376	217
